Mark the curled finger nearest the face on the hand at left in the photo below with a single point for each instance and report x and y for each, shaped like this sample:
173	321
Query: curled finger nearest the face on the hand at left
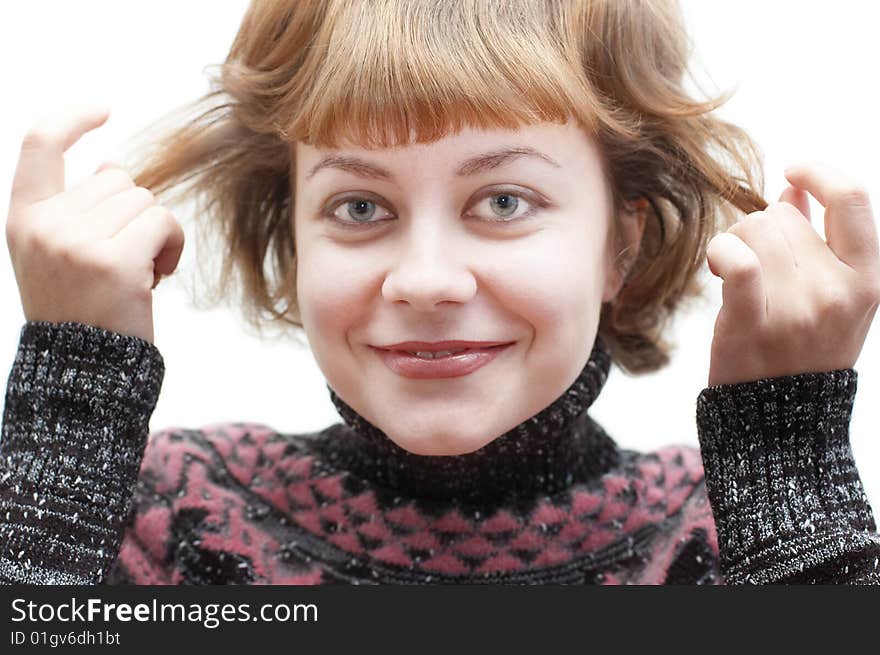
155	232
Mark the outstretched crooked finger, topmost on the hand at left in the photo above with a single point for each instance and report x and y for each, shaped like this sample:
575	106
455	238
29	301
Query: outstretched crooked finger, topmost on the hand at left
40	170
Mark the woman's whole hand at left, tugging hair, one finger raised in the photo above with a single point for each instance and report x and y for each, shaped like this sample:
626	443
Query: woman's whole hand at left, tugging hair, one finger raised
92	254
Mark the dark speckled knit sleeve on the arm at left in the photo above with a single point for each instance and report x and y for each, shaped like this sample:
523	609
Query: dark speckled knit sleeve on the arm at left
78	403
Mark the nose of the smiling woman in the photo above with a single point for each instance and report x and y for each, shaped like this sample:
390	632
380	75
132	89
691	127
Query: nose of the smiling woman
429	270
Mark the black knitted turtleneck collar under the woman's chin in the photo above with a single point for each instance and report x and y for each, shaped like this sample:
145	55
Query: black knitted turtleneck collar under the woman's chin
548	452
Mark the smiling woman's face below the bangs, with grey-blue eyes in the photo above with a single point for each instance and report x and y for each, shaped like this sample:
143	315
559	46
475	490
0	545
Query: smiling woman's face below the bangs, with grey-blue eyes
486	236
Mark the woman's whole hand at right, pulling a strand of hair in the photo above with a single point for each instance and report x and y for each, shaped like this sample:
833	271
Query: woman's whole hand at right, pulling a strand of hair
793	303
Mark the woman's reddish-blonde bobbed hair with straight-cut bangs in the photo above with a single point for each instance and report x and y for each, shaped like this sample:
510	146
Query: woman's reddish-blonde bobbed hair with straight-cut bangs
381	73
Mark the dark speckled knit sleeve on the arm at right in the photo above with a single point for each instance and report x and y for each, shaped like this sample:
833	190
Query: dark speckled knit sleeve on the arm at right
788	502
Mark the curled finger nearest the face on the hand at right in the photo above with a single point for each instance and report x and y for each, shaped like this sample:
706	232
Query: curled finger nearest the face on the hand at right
738	266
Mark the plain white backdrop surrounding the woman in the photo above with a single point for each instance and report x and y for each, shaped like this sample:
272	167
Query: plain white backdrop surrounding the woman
807	89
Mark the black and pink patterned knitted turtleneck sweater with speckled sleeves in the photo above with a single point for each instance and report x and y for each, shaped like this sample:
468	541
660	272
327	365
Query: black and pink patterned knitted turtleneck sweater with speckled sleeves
771	496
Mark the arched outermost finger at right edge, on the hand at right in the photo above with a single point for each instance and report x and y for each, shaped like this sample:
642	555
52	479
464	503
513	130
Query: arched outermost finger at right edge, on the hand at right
849	220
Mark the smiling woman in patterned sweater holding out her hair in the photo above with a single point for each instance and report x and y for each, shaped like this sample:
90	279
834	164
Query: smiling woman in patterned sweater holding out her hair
471	210
